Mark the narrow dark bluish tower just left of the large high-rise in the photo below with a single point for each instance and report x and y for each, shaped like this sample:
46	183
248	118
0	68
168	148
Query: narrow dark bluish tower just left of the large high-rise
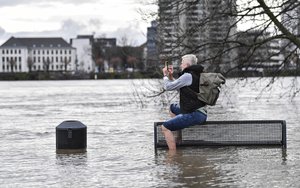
152	59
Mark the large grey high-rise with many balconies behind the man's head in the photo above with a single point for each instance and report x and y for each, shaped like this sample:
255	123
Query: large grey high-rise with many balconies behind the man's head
199	27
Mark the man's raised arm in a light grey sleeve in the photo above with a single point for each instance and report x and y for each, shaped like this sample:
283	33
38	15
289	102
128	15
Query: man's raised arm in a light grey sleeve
184	80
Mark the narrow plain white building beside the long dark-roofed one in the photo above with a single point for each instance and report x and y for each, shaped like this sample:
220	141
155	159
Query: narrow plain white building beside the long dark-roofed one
83	45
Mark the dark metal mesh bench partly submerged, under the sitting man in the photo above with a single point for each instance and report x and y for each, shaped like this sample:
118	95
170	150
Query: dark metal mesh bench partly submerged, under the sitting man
226	133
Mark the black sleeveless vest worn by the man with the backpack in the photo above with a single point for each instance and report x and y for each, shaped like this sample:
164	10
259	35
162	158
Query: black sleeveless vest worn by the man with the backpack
188	99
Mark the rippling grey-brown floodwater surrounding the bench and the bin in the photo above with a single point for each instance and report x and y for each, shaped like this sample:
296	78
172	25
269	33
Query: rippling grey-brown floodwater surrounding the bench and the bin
120	151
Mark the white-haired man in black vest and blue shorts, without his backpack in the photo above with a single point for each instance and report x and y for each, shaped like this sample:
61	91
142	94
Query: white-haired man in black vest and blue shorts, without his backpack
190	110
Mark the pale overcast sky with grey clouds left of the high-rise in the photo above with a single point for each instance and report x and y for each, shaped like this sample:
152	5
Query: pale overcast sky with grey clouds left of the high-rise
68	18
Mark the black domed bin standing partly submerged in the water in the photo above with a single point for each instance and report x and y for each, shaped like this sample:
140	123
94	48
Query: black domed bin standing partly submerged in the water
71	137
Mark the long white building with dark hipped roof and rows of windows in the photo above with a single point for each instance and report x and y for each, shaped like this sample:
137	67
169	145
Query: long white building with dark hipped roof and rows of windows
37	54
